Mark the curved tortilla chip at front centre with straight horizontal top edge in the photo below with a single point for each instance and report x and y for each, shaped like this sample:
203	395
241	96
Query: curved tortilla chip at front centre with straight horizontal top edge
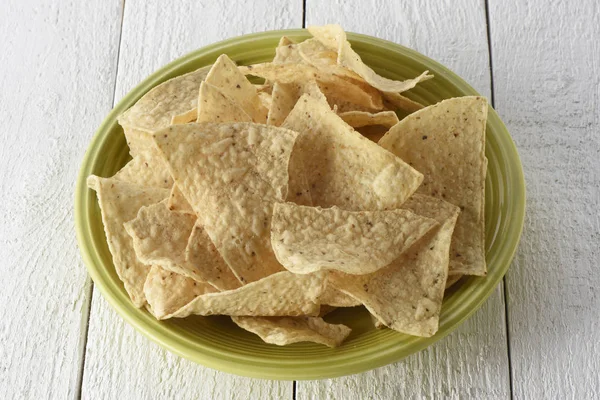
309	239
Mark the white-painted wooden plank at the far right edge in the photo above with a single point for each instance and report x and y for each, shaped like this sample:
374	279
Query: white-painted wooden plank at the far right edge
546	66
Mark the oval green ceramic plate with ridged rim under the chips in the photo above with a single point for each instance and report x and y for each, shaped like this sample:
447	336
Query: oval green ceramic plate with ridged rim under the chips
215	341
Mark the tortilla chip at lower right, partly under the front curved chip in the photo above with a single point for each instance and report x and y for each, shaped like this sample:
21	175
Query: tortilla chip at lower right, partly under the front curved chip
407	295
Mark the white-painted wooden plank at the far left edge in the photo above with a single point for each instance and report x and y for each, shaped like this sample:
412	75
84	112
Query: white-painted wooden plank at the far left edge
56	85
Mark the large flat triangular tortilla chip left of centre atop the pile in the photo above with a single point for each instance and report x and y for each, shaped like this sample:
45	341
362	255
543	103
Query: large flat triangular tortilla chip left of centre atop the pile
232	174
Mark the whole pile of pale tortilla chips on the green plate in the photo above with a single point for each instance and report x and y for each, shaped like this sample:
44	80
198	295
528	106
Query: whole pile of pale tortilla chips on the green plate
276	203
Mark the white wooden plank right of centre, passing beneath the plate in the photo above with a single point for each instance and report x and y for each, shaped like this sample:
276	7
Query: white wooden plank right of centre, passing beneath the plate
473	361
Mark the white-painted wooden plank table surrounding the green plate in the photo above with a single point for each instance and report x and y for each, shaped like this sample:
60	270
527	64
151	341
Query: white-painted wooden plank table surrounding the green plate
63	64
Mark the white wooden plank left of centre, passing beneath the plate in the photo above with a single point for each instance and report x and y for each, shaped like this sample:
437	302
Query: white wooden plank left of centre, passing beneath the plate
121	363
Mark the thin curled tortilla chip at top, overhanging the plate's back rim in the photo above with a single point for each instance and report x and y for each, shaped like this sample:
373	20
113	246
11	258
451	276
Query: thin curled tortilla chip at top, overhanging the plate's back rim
334	37
